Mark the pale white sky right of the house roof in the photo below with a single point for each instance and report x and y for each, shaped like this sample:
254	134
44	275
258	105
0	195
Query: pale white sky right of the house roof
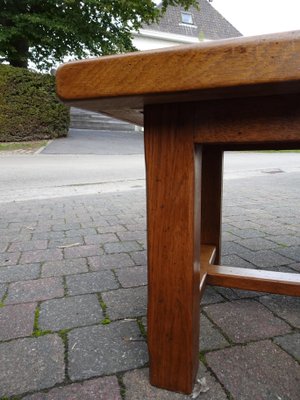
255	17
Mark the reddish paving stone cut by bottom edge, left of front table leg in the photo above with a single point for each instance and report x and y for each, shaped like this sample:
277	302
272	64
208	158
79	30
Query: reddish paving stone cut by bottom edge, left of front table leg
106	388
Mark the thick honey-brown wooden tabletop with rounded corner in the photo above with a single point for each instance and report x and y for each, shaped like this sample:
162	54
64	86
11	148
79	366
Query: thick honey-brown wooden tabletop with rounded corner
240	67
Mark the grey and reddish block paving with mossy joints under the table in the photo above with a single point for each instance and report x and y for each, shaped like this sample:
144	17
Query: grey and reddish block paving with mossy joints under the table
73	298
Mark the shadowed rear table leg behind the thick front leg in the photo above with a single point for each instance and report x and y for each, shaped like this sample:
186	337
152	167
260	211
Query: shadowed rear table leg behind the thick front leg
211	198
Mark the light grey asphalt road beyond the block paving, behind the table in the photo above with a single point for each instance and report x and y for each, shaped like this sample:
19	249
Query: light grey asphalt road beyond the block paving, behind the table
49	174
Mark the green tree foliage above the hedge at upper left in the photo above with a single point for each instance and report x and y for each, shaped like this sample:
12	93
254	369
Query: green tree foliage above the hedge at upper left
46	31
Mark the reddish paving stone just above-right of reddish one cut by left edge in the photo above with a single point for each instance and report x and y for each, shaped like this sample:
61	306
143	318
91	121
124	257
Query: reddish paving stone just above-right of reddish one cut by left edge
36	290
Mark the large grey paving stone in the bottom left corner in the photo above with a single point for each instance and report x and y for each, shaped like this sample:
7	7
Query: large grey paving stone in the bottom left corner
31	364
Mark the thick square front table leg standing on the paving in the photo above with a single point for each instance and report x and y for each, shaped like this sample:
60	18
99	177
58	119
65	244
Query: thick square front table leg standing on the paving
173	217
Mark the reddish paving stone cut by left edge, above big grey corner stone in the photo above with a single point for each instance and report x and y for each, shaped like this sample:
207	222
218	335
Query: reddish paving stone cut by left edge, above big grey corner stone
16	321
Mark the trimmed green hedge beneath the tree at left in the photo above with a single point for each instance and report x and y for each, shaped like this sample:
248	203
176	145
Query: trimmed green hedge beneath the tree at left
29	109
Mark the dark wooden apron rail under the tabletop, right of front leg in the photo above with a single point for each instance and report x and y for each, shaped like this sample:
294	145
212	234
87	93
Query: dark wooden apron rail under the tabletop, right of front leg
268	119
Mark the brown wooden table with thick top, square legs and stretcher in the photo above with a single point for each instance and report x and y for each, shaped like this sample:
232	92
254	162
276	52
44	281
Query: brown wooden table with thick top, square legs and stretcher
195	102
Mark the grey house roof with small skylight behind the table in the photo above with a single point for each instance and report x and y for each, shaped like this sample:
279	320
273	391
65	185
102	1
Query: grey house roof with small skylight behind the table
208	23
